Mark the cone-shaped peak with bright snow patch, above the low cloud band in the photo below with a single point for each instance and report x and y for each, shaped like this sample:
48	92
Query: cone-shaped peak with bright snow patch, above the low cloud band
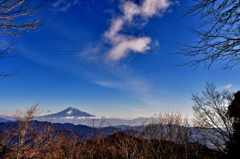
70	112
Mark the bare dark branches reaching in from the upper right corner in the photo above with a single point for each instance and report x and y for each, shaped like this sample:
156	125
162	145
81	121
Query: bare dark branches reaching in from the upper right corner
218	38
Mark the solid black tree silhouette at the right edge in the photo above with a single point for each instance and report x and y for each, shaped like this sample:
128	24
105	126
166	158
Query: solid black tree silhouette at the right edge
233	146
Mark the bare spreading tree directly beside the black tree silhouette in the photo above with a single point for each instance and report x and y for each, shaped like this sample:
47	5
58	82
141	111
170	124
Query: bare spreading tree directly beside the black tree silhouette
210	111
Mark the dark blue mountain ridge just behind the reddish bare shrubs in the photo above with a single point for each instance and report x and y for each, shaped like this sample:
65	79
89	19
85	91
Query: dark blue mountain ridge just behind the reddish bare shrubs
83	130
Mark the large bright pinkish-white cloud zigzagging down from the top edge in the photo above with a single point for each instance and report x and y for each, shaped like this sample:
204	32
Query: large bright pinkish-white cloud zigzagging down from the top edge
122	44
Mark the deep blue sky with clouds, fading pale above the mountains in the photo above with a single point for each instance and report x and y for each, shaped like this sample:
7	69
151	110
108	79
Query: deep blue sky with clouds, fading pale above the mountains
108	58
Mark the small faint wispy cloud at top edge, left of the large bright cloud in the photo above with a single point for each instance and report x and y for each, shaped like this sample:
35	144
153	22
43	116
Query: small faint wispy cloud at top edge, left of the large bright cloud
63	5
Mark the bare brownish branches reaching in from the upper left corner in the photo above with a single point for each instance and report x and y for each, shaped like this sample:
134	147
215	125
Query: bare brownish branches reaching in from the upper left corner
17	17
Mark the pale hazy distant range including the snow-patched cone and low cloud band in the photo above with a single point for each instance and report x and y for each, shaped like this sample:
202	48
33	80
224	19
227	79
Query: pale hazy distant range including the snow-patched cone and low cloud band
75	116
